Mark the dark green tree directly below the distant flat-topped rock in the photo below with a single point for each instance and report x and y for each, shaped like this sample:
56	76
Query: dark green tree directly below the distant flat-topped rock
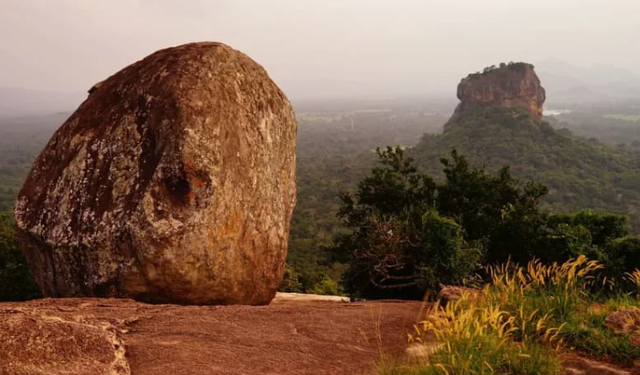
494	210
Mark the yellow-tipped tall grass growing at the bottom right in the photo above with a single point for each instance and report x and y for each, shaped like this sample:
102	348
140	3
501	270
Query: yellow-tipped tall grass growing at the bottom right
521	323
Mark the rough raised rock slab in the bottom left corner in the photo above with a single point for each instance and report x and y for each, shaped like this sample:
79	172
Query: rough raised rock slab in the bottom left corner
37	343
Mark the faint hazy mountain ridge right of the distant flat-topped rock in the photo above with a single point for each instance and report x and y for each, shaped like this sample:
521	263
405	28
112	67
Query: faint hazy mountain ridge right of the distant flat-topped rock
570	83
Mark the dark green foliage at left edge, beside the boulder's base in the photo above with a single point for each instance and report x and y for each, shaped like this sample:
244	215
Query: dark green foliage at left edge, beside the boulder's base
16	282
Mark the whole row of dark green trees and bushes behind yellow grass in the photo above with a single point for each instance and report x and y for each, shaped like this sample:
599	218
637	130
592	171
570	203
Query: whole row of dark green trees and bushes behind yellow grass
410	234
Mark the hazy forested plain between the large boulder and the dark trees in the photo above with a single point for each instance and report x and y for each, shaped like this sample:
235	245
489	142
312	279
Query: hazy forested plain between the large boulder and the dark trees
333	153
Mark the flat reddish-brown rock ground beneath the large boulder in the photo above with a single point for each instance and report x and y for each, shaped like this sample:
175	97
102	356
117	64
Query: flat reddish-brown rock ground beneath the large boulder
121	337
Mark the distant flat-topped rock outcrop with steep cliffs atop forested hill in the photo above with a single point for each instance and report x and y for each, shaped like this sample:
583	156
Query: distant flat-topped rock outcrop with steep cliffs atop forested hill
513	85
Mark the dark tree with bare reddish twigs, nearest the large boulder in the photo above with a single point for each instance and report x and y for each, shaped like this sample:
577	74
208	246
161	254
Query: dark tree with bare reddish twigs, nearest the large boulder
399	245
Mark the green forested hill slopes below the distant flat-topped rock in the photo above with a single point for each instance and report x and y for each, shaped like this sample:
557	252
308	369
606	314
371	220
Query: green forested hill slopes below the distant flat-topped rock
580	173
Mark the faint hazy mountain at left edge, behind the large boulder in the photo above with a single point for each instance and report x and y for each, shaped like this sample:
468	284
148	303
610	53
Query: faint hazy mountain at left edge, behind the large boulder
16	102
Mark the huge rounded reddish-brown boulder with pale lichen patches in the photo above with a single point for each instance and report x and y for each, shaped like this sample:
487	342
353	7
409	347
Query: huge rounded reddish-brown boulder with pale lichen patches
173	182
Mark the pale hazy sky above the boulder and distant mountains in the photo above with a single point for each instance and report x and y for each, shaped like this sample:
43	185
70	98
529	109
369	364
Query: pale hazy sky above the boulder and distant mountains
315	48
